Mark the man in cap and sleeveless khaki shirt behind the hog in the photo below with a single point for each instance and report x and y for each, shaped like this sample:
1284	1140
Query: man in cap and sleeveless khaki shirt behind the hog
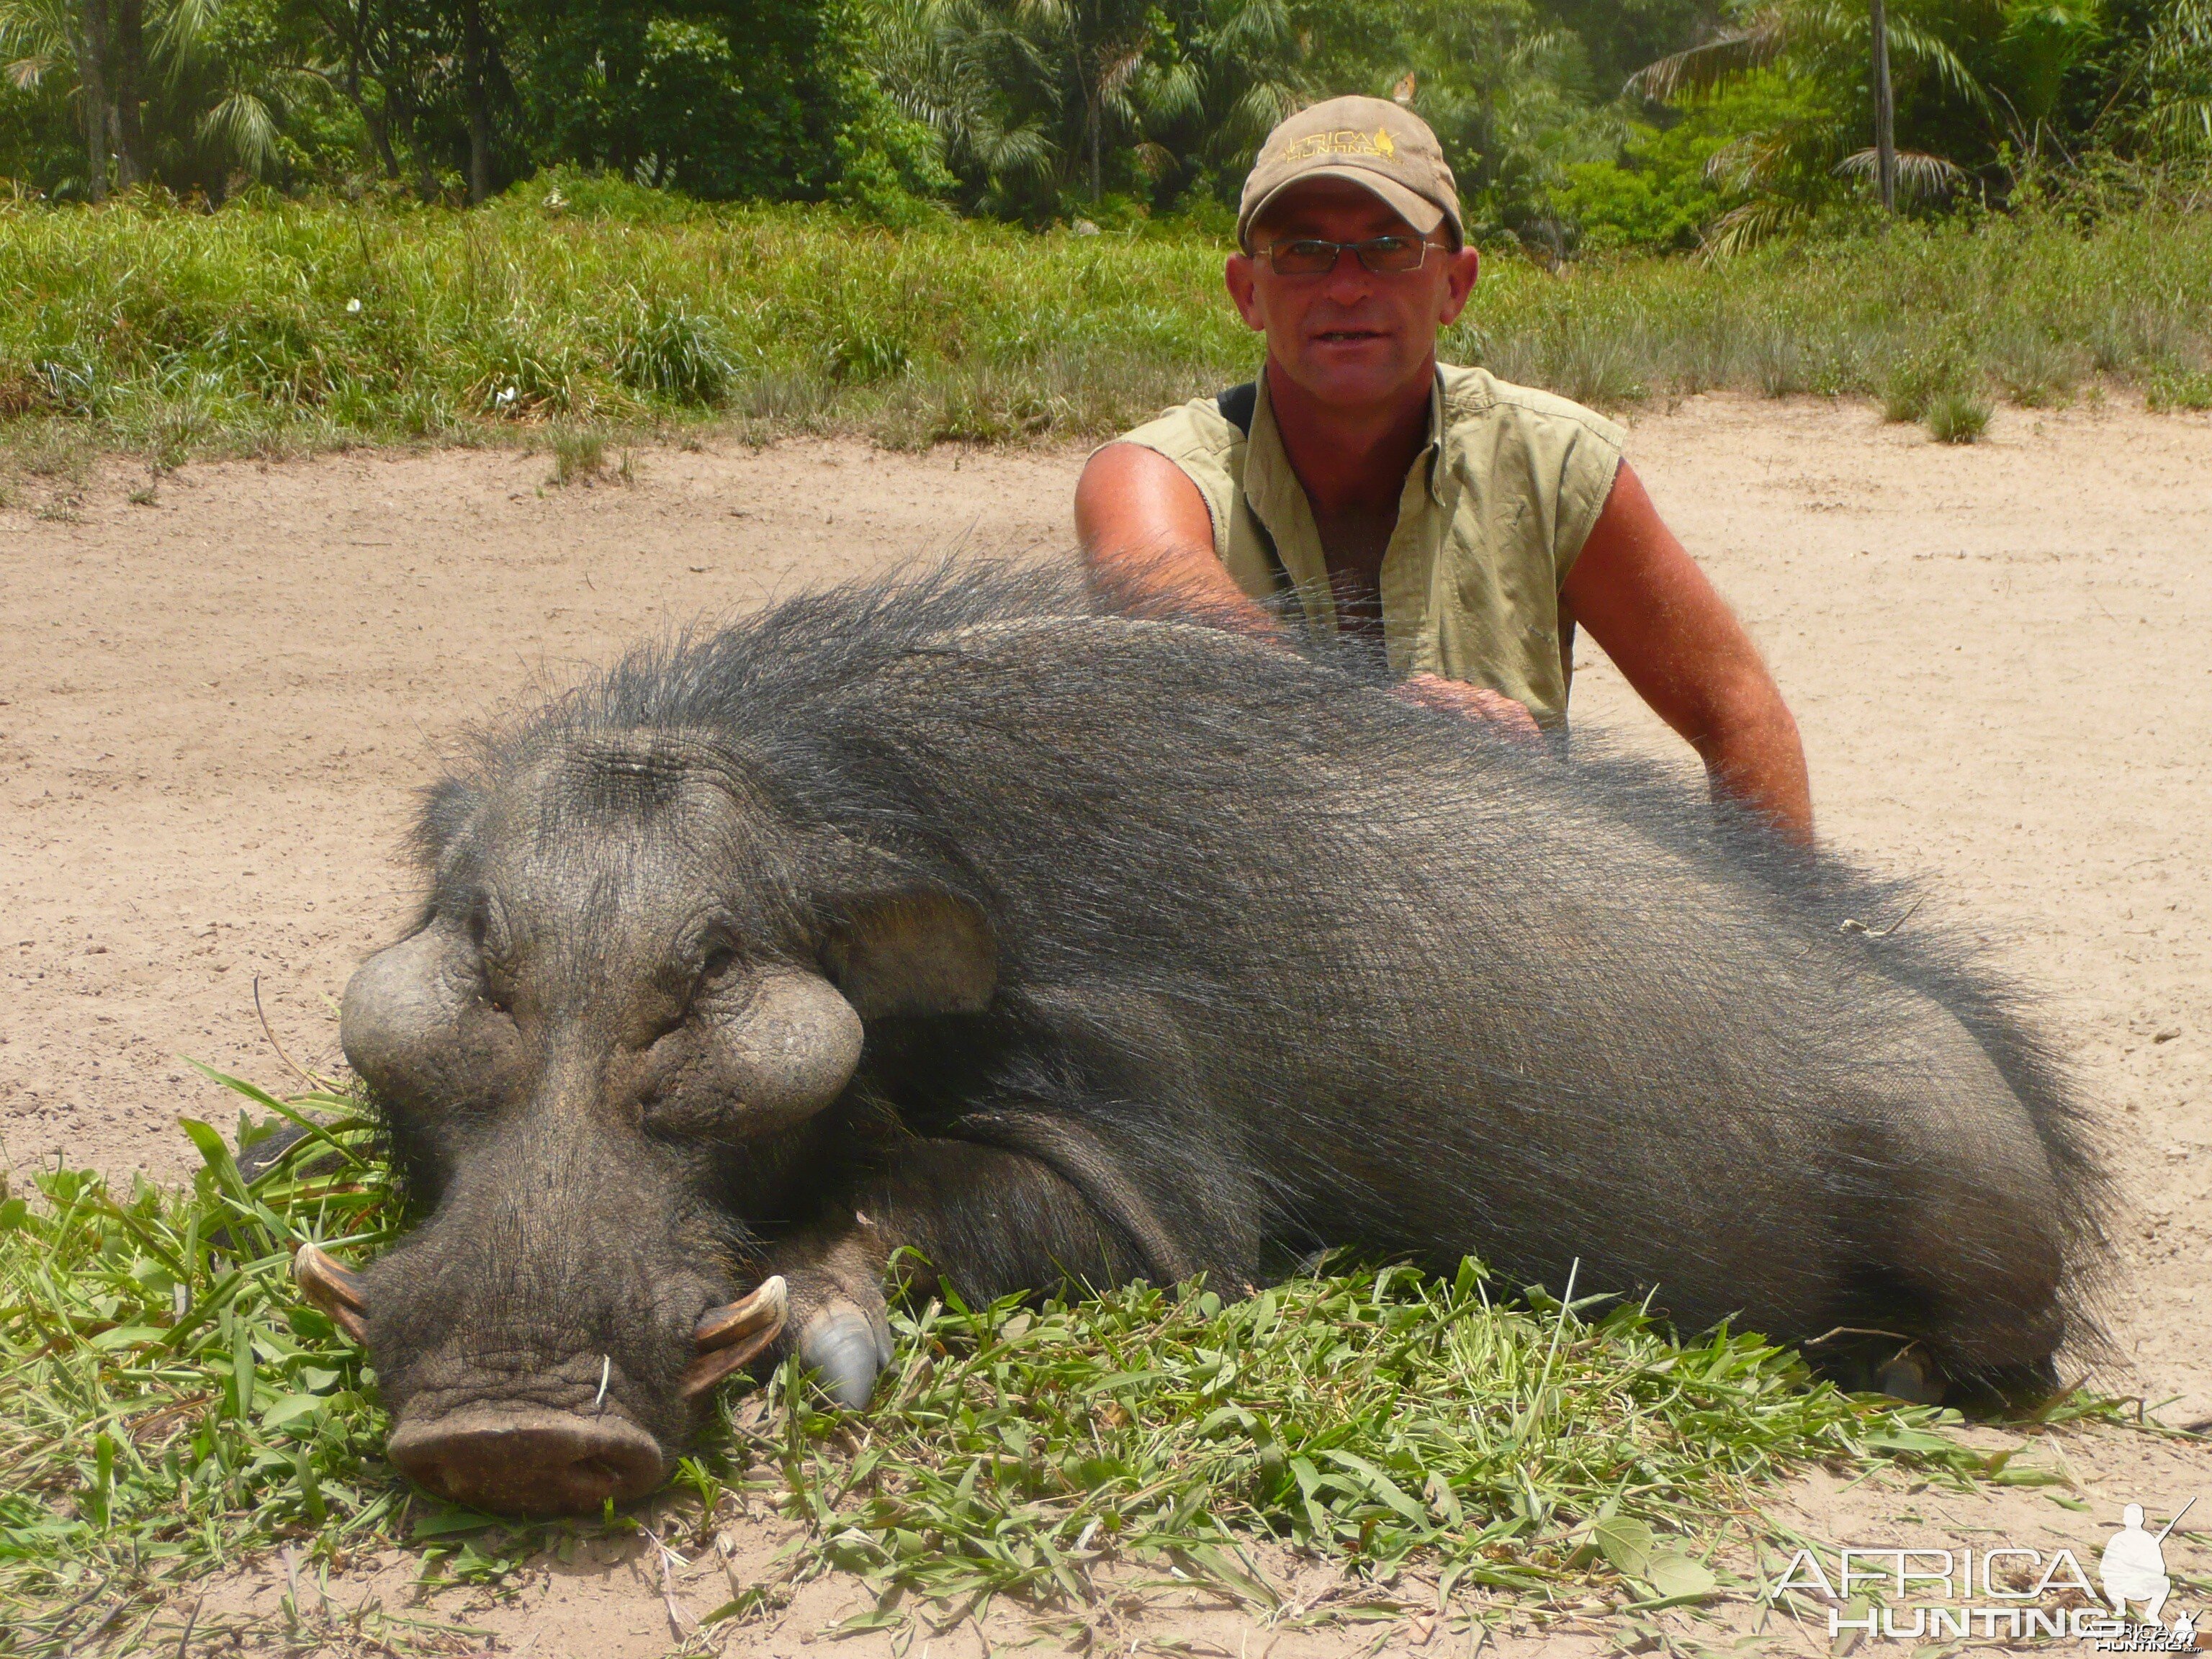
1463	523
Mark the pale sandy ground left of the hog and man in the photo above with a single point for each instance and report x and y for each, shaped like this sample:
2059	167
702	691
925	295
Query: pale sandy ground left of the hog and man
216	713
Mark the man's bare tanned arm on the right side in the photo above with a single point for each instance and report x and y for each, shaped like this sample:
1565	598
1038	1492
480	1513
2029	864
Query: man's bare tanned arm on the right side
1676	640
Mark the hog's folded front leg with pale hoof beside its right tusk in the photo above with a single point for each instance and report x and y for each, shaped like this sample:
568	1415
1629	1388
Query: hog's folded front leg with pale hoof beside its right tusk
981	1220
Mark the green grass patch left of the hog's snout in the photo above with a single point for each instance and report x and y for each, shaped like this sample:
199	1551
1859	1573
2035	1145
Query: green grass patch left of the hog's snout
167	1404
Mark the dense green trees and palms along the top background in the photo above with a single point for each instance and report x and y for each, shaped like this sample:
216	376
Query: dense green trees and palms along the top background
1574	125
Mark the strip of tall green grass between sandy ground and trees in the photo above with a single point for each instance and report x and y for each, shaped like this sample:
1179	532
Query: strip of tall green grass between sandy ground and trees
282	326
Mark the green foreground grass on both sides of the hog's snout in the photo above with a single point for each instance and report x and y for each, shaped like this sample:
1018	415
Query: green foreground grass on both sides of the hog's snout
171	1408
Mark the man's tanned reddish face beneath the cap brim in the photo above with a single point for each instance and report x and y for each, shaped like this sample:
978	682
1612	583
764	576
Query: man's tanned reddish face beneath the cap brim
1350	337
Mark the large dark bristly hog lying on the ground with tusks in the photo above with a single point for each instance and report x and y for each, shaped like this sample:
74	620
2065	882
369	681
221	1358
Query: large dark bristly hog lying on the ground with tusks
1070	946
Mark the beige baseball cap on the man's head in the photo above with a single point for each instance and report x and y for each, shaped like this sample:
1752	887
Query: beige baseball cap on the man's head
1370	143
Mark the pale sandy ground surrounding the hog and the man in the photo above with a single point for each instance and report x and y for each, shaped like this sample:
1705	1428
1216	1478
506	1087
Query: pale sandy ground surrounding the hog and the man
213	713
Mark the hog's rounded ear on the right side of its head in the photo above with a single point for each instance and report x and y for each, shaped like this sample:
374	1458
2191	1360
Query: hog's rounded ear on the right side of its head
912	954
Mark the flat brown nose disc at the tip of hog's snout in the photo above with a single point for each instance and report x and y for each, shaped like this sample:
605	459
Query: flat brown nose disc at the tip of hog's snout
530	1461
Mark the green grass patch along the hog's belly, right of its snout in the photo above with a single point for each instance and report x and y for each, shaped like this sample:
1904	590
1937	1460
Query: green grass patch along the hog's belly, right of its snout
1375	1417
